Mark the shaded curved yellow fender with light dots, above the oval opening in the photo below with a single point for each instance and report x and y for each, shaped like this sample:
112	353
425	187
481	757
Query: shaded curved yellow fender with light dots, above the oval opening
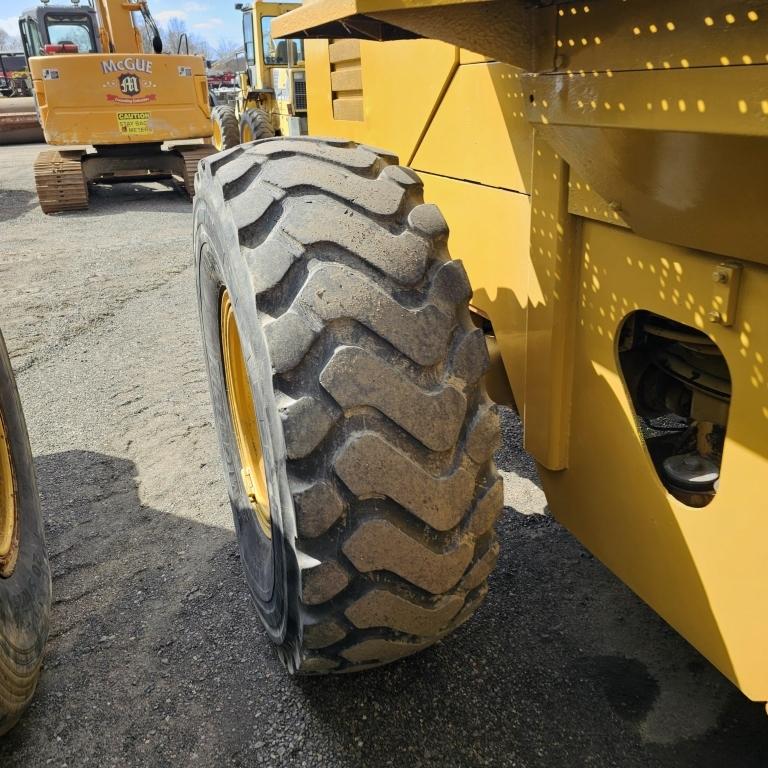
674	153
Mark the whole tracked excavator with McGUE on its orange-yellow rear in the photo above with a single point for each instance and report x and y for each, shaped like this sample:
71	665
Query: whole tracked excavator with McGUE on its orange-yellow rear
95	85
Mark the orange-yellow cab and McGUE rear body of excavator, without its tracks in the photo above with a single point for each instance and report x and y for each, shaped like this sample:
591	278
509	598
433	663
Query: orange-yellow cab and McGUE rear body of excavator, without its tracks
121	97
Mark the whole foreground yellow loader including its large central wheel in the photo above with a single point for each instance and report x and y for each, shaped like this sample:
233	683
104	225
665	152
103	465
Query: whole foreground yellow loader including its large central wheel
596	166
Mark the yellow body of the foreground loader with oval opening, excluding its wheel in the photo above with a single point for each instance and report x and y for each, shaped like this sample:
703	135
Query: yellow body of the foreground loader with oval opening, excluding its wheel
600	168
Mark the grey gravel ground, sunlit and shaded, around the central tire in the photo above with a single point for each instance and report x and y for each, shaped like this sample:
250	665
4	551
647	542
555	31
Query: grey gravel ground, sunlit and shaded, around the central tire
156	656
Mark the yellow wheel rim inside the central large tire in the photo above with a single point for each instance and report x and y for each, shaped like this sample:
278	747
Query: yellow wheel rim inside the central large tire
243	413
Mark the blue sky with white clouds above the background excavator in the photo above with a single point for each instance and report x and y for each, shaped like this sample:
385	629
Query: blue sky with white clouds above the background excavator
213	20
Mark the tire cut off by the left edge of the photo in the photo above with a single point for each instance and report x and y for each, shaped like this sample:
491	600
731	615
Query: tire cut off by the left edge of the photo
25	579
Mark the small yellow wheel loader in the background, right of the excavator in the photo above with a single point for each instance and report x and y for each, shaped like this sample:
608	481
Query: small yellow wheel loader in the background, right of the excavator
272	98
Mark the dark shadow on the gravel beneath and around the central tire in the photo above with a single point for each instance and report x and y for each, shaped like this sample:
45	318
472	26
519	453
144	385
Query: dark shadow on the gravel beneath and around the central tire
157	658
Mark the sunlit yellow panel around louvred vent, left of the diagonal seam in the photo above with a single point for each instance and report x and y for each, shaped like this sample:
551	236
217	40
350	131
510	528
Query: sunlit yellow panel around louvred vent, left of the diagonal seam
402	84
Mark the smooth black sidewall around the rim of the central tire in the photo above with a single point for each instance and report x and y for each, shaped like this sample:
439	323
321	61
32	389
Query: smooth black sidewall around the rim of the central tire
268	565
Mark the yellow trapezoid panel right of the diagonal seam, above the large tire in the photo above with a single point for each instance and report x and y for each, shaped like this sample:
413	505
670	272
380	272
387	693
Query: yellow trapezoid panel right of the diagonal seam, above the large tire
480	132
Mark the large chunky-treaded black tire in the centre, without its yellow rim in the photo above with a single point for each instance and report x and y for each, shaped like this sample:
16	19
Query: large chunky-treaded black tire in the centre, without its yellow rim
365	370
